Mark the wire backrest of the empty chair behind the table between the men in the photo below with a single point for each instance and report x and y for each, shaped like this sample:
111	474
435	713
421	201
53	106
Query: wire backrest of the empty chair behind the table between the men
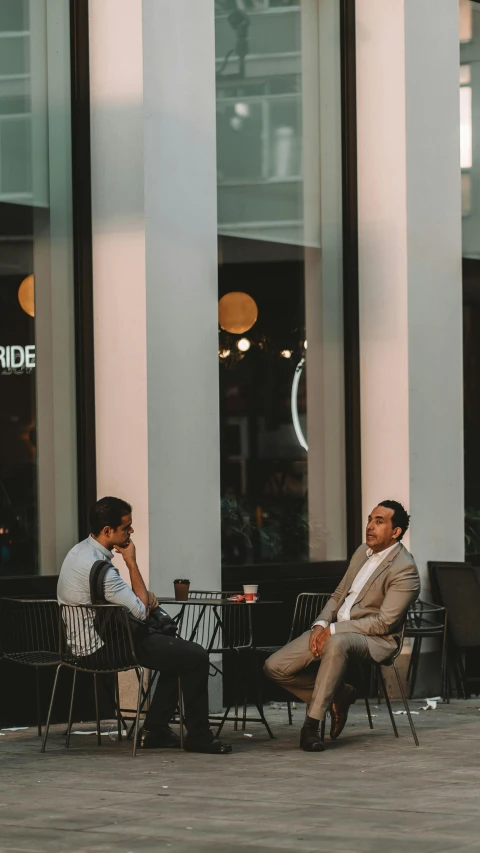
216	628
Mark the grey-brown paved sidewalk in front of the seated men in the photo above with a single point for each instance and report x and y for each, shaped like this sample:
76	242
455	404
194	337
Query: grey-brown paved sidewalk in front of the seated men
367	792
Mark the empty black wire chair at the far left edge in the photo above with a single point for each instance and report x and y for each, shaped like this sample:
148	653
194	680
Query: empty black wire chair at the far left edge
29	636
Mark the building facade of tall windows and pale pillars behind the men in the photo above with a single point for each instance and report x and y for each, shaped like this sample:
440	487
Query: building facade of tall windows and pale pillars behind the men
231	279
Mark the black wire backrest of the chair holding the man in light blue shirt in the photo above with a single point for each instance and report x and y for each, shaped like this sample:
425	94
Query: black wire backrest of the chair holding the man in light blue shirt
96	638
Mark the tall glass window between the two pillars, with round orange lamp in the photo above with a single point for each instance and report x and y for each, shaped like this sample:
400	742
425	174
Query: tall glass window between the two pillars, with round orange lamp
280	280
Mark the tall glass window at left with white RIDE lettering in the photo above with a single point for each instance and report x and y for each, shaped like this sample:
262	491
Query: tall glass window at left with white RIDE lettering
37	412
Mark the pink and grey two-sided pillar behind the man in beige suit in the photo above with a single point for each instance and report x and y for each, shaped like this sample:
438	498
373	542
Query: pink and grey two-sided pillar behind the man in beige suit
410	267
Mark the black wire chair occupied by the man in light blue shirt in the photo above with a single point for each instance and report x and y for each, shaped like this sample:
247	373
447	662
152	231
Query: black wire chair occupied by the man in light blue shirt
96	638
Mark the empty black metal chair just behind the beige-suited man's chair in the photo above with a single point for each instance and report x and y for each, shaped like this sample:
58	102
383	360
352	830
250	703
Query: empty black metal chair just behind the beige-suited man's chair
425	620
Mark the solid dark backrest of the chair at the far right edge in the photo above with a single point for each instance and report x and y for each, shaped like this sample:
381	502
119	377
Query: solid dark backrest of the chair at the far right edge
459	587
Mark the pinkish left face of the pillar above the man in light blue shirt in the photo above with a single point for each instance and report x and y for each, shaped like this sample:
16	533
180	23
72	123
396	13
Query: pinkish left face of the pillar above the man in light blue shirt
116	91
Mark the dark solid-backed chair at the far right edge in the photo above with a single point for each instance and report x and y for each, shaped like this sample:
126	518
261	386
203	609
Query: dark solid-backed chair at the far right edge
458	587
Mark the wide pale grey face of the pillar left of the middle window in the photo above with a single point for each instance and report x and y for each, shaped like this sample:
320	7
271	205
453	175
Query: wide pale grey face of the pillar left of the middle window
181	274
